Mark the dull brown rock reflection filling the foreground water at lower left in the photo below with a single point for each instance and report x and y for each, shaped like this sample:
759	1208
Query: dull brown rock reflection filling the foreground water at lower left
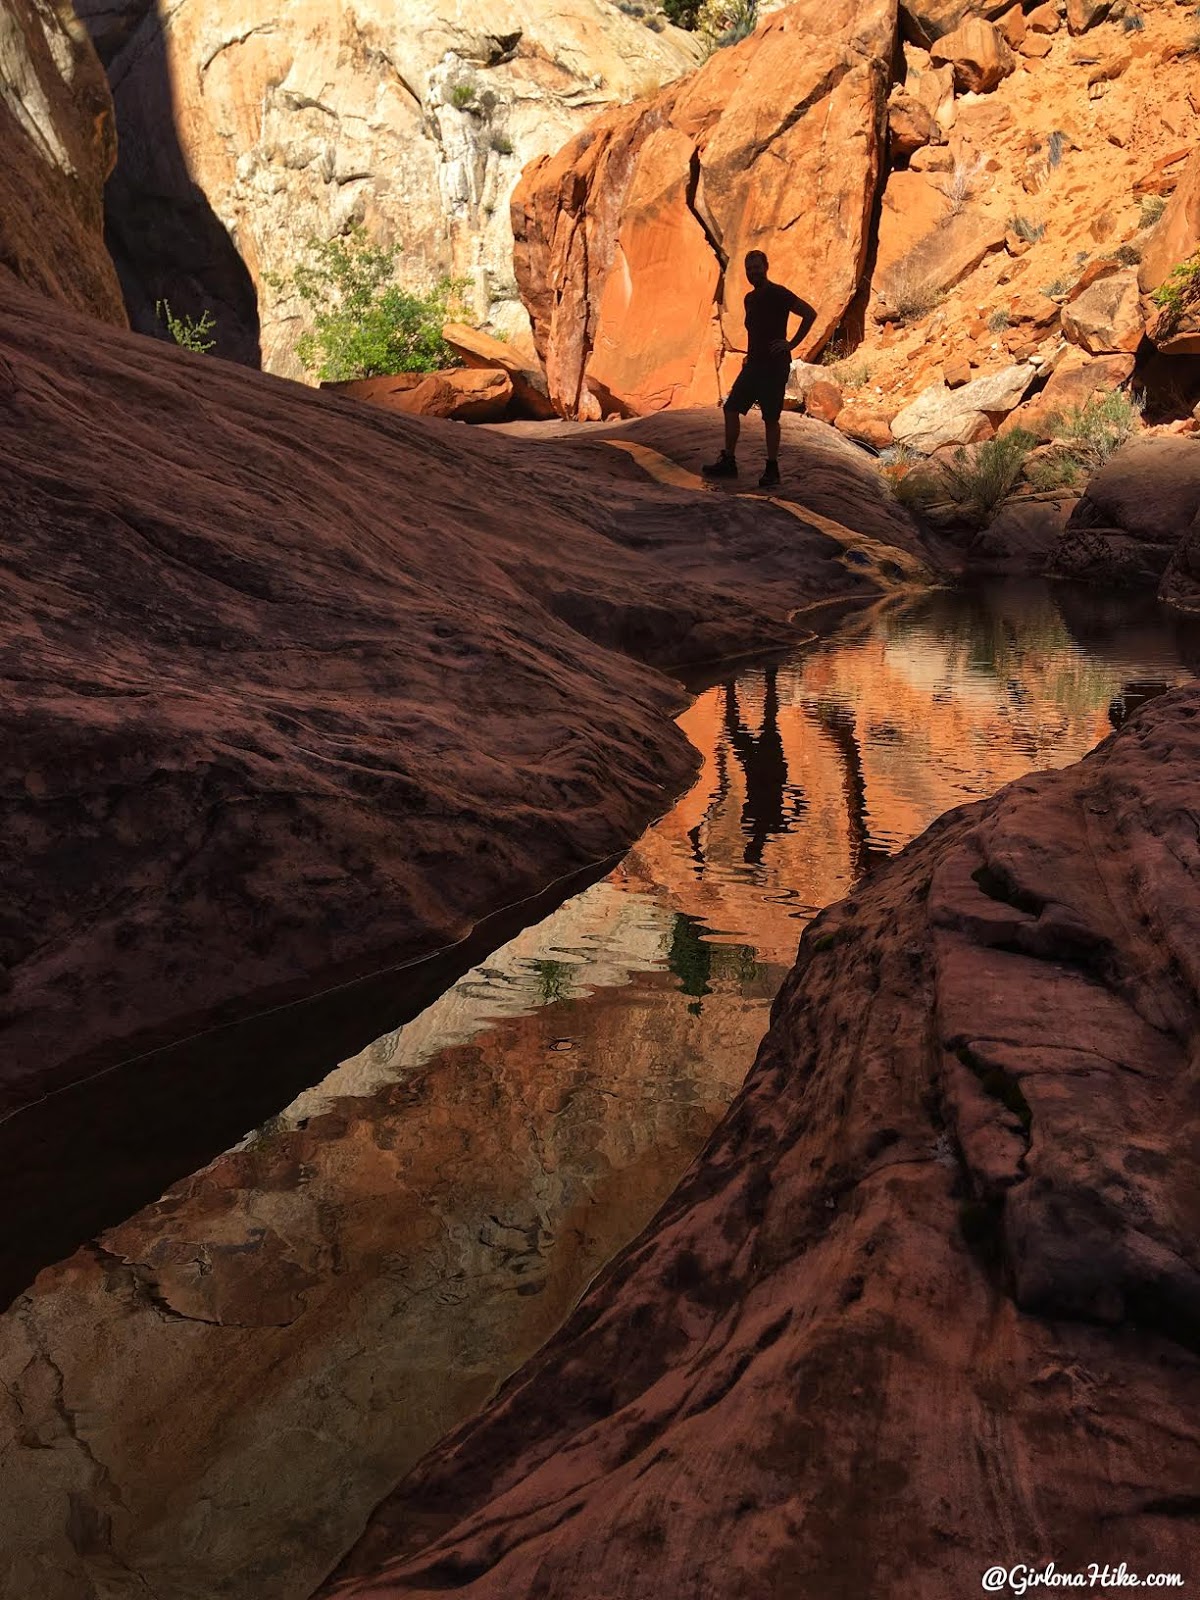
319	1306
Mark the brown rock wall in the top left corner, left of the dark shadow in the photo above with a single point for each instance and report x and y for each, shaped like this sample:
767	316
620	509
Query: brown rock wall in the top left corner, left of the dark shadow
57	148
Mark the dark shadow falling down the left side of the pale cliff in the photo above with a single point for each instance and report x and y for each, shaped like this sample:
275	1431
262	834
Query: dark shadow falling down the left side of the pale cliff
162	234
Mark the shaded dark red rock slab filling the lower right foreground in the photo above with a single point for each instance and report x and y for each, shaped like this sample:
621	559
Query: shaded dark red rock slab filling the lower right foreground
930	1300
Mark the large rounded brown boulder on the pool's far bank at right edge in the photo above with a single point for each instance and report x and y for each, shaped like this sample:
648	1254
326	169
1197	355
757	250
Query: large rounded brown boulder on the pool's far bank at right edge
1135	513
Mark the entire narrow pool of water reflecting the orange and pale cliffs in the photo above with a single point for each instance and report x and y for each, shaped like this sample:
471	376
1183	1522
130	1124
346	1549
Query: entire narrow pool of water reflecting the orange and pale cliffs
210	1399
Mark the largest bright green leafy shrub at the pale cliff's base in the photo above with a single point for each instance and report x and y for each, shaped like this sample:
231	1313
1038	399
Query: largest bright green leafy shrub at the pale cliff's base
366	324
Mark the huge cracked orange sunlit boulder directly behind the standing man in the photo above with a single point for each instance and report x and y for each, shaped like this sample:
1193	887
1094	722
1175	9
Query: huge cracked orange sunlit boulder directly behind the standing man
622	238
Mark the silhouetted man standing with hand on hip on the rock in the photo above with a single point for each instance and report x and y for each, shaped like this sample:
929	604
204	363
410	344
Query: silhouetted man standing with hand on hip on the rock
766	370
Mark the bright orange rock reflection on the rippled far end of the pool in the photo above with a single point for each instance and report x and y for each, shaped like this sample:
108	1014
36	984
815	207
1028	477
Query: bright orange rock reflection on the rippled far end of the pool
906	718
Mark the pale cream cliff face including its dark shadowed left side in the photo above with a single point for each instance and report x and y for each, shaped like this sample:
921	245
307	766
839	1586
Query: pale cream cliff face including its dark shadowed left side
281	124
